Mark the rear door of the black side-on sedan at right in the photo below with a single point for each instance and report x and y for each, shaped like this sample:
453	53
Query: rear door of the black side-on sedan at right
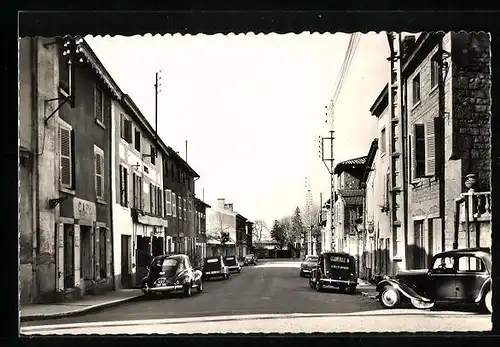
471	274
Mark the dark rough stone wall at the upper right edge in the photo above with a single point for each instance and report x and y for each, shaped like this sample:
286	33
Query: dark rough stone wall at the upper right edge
472	104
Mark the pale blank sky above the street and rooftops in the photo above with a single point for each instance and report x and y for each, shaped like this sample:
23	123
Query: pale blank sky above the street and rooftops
252	108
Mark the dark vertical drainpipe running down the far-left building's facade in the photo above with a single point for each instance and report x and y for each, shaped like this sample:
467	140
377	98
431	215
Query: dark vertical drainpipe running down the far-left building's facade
35	170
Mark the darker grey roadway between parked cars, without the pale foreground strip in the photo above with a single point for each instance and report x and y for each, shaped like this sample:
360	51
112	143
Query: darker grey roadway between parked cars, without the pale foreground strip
268	288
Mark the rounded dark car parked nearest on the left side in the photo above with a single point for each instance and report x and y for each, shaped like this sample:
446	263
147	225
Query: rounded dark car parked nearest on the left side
172	273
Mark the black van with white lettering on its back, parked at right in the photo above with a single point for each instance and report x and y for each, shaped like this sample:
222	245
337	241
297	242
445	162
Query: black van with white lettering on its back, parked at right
335	269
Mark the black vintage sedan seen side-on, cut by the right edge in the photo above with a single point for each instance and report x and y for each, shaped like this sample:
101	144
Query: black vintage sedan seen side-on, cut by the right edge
461	275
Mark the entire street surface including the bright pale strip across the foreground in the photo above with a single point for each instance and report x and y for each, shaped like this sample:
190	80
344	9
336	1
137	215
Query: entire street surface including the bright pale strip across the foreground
270	290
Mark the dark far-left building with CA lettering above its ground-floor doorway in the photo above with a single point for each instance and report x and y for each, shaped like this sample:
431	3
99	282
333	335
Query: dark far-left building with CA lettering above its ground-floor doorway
65	132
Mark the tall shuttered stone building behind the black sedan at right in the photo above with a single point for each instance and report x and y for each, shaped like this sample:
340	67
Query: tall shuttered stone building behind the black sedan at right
436	134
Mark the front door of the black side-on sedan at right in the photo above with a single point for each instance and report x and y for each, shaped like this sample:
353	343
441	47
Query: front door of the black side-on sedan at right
442	275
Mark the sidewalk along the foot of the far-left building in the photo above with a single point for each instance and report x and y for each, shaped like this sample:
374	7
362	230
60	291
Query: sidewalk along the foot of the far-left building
88	304
